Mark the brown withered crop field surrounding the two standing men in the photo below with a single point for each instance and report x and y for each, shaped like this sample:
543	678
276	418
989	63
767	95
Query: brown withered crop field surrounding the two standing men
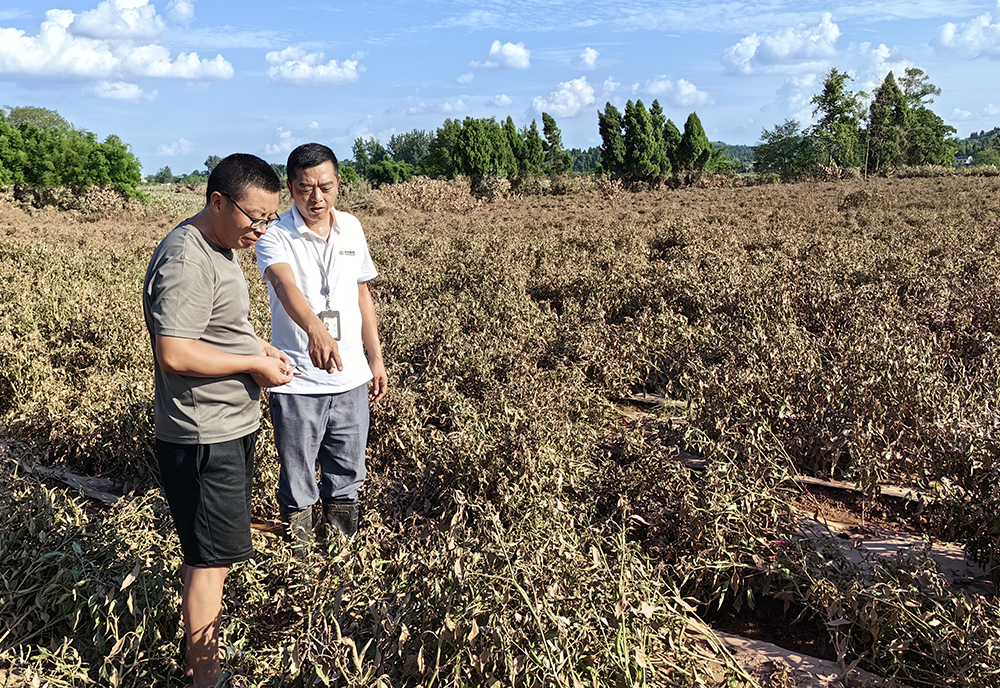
526	524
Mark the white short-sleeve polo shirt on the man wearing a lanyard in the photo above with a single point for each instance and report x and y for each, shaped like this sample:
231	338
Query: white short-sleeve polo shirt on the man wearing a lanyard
346	262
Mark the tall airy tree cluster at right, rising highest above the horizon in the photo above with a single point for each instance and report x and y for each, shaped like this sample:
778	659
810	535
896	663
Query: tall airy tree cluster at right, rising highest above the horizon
891	127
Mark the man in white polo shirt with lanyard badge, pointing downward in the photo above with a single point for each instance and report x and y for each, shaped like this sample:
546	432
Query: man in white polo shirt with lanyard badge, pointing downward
317	266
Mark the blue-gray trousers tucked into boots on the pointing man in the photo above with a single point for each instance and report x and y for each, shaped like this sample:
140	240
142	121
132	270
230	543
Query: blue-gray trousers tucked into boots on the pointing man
329	430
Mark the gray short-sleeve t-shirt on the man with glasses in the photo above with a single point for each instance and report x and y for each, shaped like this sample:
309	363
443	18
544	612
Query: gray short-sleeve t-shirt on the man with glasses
195	289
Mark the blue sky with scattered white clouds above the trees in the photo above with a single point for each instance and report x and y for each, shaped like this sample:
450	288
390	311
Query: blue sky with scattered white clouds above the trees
180	80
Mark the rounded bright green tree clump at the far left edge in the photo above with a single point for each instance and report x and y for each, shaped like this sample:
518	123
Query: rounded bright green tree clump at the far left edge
39	148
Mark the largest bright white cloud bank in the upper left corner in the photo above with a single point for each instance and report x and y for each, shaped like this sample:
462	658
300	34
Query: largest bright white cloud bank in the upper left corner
59	51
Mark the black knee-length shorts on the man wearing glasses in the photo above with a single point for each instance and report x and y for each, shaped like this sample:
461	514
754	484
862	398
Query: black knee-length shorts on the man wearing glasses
208	488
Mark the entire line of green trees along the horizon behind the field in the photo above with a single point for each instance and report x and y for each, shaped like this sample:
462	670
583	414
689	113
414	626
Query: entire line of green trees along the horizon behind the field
890	127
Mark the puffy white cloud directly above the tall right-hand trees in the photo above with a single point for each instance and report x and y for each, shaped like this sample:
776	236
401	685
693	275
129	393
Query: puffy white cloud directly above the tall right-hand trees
799	48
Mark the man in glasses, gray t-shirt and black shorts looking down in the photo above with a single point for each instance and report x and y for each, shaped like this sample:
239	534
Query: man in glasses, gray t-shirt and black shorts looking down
209	368
